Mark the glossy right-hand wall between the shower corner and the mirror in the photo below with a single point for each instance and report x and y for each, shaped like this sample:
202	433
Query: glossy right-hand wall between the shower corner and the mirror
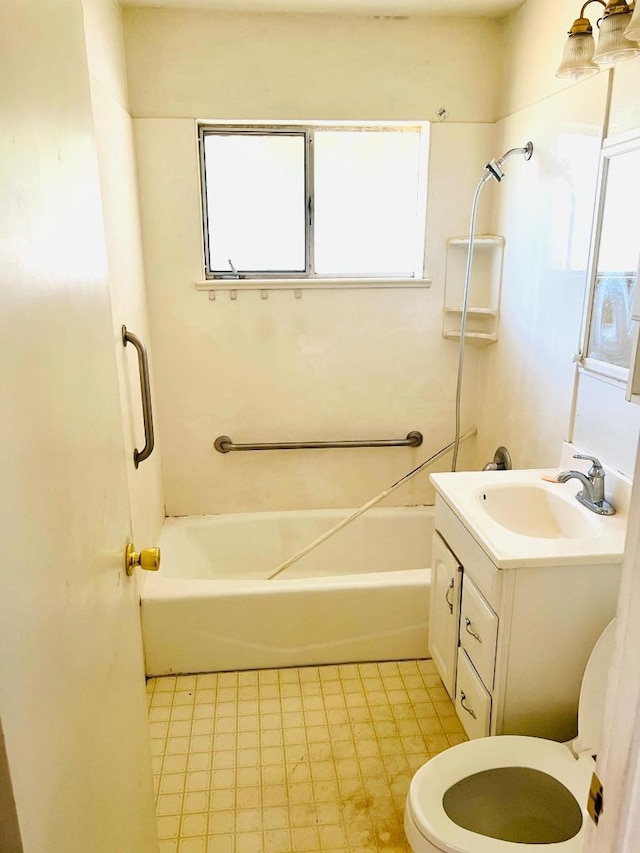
531	395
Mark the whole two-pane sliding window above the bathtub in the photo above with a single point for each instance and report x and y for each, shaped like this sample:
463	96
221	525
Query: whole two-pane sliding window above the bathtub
312	202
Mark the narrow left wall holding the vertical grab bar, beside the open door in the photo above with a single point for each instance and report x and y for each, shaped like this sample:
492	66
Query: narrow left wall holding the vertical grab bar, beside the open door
118	181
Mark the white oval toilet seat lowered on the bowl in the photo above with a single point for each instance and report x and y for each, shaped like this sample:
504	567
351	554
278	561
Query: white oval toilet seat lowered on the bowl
432	785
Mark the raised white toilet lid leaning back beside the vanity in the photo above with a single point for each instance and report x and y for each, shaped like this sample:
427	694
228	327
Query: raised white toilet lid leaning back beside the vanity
593	693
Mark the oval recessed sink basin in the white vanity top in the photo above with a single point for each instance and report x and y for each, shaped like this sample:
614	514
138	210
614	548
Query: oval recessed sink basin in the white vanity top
534	510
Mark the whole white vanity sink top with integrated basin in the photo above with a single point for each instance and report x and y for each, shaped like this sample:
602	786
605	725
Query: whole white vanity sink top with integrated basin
519	518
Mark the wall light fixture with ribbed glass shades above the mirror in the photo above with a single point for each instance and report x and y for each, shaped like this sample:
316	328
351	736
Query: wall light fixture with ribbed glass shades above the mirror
618	40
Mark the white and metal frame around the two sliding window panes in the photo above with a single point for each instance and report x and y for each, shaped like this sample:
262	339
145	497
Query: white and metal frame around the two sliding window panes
307	130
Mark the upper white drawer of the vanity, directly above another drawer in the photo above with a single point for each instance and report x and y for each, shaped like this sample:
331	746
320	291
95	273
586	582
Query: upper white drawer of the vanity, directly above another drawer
478	632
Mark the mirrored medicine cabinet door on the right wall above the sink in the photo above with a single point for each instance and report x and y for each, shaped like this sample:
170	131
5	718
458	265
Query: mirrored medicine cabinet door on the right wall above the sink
614	267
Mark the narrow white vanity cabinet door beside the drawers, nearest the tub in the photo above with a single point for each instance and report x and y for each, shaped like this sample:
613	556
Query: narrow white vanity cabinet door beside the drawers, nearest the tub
444	612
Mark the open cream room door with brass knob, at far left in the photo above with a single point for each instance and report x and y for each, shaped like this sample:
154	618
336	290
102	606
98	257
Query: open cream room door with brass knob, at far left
71	676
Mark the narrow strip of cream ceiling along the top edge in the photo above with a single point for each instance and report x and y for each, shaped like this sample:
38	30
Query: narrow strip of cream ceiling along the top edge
391	8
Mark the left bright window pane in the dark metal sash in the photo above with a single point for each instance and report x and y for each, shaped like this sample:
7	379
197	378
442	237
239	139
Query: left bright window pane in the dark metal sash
256	202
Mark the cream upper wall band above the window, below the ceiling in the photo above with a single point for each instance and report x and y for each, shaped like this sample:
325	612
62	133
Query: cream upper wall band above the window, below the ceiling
232	66
